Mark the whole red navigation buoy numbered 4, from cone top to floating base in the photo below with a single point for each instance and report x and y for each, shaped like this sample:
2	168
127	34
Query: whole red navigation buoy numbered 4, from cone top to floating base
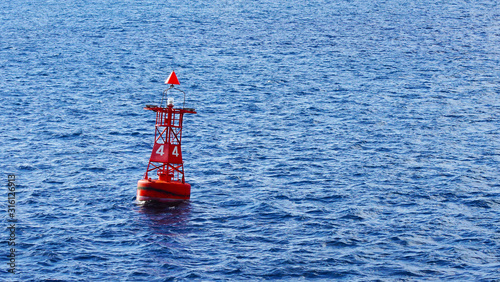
166	157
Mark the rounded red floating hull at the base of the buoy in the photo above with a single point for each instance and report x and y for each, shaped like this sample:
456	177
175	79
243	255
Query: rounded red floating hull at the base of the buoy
162	191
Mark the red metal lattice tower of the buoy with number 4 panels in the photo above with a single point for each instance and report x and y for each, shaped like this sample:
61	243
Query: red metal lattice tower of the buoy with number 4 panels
166	156
